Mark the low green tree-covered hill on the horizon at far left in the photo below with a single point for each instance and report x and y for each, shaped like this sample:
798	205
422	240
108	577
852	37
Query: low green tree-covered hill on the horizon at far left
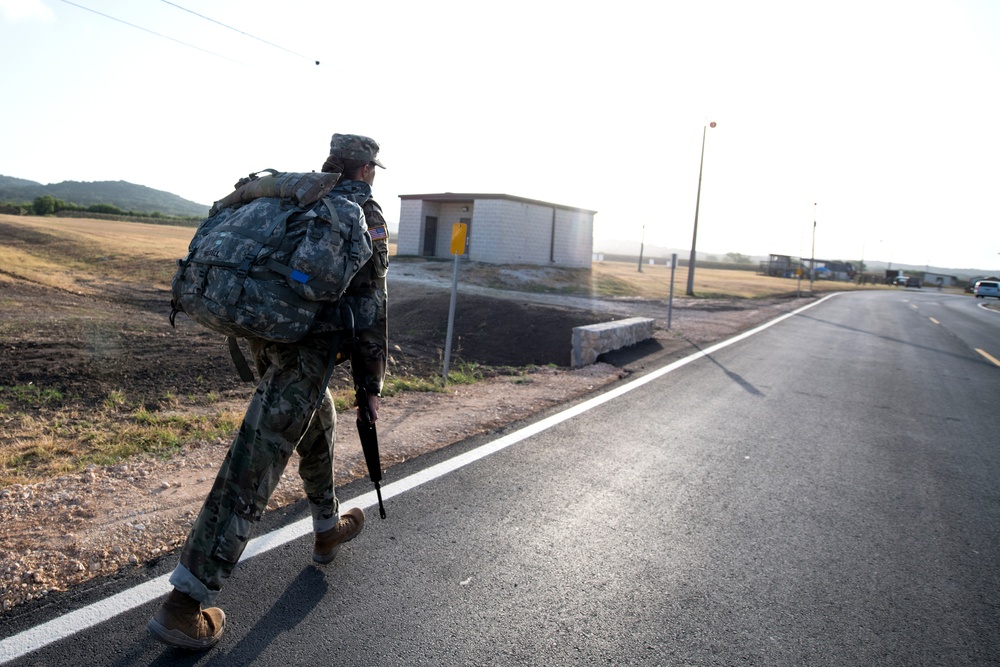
124	195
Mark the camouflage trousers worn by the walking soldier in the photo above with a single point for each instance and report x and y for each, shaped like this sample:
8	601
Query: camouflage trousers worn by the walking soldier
277	422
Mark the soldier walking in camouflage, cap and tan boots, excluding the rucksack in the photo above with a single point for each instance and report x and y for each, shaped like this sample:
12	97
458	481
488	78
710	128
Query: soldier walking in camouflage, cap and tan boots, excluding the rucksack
280	420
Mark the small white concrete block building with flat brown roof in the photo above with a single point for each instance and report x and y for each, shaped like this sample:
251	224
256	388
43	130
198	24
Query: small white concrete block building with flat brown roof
502	229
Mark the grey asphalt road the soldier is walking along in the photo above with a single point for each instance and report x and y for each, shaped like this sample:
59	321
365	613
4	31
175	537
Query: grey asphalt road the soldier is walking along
825	491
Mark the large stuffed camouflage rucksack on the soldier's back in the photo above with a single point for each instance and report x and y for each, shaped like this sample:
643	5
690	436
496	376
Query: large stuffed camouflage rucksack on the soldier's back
270	256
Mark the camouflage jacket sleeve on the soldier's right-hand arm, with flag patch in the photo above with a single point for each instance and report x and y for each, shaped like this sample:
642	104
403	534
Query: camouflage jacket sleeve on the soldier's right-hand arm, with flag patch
369	356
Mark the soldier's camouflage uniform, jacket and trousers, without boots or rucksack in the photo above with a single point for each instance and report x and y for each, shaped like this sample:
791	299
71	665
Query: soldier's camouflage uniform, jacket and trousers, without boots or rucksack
280	419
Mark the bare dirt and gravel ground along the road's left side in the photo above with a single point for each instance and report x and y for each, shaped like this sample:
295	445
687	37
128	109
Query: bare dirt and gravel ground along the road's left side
91	353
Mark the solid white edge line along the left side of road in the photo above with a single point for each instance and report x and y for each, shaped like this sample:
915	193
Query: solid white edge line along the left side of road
69	624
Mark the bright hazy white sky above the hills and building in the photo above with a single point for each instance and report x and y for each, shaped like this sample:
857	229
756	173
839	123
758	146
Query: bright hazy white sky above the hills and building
878	118
